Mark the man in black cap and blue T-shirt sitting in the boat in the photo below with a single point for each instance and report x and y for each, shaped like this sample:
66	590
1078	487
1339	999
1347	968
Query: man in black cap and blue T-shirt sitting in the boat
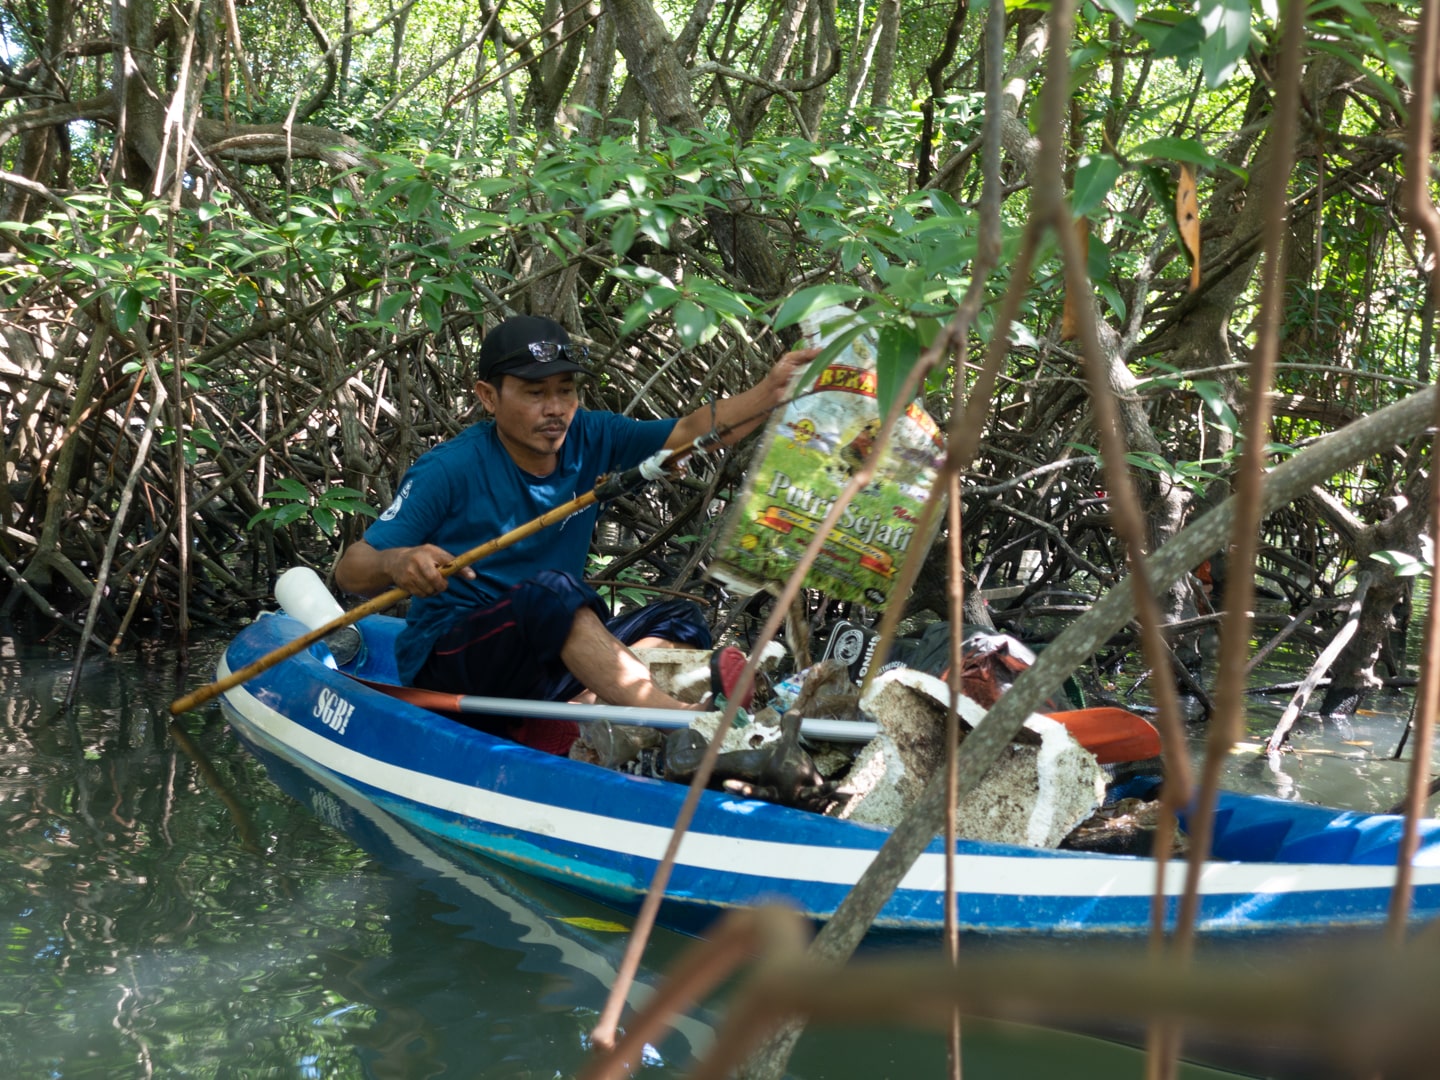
522	623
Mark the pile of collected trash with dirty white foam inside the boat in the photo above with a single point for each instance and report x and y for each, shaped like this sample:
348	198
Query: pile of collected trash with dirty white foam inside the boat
1046	791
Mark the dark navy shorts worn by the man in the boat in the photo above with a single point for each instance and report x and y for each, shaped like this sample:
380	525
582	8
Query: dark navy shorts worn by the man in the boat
512	649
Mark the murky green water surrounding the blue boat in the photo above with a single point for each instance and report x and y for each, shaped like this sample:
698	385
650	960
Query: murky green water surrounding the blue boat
168	911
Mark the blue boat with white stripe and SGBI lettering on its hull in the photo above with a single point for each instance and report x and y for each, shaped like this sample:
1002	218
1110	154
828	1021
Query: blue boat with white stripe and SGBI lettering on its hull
1278	868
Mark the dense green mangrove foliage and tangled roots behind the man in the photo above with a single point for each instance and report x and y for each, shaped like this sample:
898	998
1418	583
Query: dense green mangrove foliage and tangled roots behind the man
250	250
